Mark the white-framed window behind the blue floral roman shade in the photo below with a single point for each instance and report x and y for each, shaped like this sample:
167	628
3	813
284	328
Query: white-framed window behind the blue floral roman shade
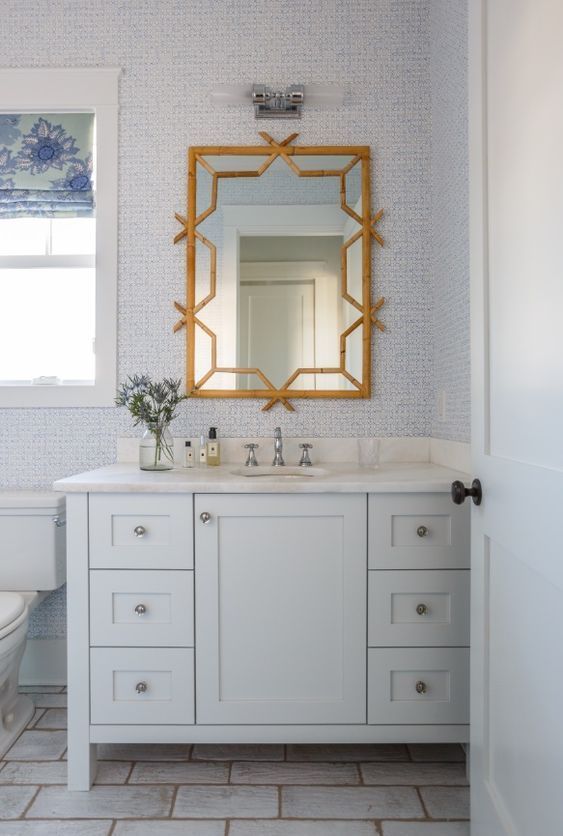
58	274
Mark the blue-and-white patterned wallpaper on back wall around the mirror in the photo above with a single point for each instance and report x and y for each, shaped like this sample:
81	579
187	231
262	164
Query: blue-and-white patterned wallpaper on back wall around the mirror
172	53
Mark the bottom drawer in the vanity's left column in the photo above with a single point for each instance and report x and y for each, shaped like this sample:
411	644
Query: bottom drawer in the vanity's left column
142	685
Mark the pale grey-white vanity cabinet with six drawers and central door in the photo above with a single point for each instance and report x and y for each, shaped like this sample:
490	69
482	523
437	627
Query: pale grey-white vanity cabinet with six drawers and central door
299	616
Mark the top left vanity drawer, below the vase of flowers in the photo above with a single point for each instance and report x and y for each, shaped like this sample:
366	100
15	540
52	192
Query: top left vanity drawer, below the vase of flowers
141	531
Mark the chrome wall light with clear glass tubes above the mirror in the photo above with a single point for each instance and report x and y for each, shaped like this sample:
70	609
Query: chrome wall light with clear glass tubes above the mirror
278	102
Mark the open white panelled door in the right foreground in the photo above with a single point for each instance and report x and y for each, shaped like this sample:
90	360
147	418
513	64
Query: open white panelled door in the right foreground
516	168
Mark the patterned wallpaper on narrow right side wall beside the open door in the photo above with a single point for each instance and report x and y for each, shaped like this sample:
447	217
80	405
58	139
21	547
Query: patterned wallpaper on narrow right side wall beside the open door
450	217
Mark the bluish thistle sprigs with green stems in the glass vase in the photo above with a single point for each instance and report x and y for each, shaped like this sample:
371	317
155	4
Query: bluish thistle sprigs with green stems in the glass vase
154	404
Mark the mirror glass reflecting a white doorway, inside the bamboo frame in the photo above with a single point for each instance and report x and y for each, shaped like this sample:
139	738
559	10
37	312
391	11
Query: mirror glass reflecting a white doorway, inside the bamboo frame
278	241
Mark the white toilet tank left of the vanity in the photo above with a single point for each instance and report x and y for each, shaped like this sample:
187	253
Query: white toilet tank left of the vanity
32	540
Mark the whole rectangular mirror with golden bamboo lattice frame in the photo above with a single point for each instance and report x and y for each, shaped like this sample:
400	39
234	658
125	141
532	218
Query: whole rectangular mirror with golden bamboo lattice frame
278	270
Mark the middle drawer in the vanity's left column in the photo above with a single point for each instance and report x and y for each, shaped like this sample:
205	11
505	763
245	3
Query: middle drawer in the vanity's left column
142	609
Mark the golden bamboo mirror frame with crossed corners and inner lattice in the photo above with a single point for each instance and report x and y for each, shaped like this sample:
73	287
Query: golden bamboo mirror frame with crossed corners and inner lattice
366	313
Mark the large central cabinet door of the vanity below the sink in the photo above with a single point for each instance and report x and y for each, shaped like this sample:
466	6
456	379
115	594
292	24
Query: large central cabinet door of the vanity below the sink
281	609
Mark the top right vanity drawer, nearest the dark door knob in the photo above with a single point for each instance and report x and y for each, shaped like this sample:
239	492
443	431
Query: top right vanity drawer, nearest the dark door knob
417	531
